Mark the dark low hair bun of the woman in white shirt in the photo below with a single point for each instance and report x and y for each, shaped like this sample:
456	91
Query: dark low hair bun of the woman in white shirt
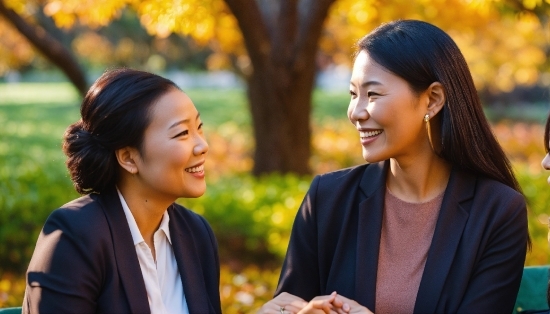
89	162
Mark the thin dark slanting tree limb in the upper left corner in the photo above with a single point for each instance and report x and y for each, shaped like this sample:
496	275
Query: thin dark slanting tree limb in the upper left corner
51	48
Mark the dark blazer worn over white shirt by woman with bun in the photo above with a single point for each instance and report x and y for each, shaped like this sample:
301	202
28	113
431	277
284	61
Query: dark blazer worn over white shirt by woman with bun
85	261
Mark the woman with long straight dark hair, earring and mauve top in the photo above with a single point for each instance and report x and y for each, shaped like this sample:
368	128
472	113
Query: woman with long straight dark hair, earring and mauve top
435	221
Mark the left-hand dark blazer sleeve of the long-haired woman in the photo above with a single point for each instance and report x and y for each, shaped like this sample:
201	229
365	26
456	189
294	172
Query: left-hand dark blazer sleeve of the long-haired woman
300	271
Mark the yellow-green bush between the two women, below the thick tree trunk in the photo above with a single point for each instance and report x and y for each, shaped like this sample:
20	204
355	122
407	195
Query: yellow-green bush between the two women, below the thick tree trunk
251	217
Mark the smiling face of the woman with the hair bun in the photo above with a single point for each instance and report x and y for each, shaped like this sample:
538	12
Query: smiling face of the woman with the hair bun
171	161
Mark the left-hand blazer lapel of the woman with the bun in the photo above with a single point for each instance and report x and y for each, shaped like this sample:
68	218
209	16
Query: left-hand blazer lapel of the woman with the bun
125	253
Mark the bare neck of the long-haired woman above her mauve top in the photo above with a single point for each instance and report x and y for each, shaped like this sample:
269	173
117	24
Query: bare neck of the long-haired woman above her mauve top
418	180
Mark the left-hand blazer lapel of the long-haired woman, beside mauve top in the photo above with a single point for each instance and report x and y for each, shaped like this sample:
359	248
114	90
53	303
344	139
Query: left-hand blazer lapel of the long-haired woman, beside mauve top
369	230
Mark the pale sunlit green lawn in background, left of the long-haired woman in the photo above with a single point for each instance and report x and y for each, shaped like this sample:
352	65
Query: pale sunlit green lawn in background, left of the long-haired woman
46	109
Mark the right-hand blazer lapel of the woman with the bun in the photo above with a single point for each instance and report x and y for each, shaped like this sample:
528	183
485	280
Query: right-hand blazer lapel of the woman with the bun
188	262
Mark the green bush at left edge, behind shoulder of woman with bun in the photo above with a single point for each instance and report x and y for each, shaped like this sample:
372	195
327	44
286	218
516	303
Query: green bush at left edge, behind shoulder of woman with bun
29	191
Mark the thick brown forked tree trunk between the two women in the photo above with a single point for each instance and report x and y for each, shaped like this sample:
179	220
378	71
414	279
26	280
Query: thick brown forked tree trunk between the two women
282	44
